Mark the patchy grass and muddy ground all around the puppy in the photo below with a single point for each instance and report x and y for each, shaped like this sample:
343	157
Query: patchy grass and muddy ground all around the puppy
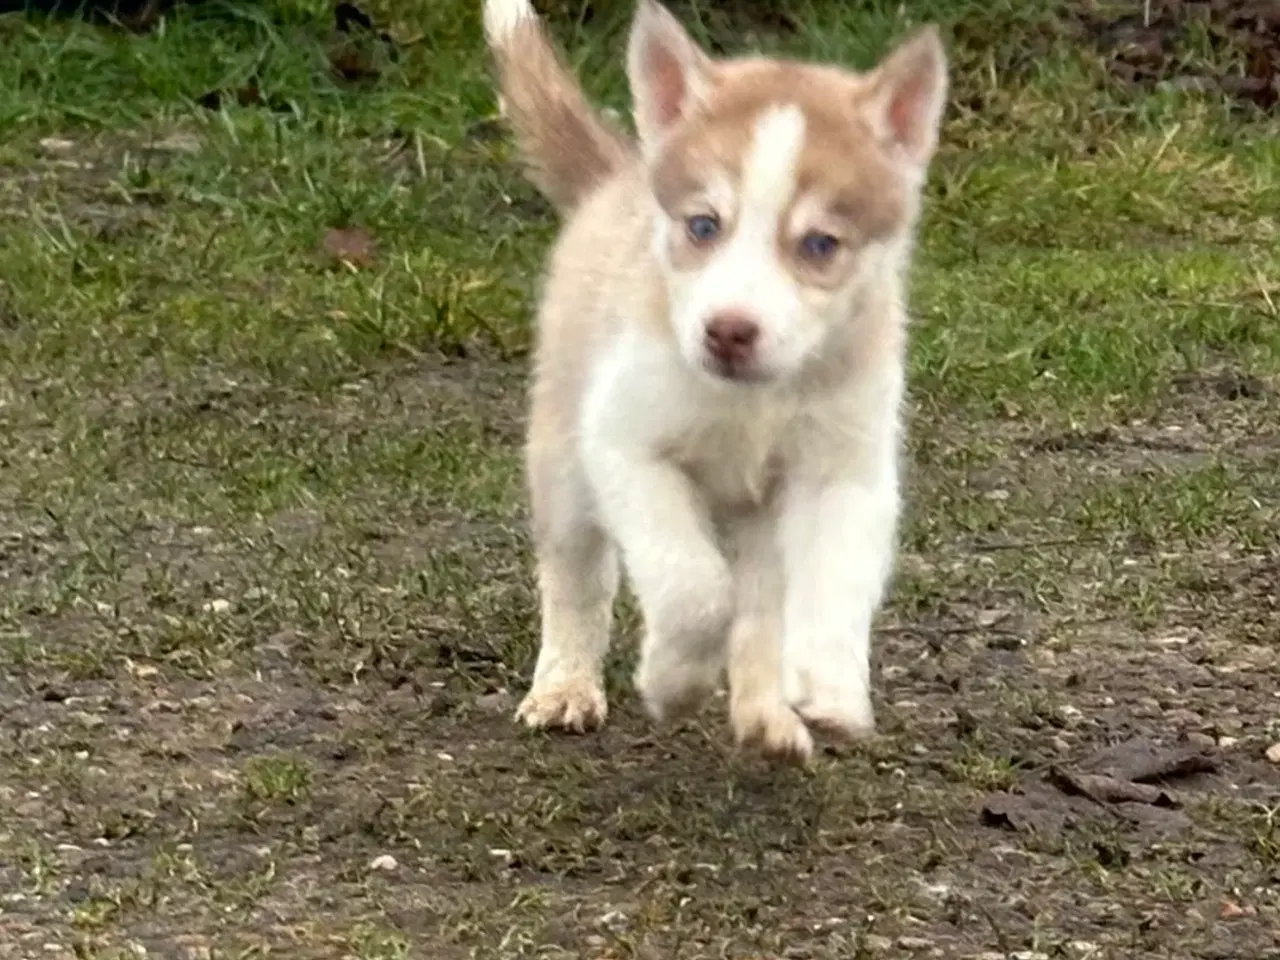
266	593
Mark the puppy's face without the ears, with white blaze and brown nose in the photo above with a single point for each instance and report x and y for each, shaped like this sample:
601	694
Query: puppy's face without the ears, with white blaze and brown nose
772	217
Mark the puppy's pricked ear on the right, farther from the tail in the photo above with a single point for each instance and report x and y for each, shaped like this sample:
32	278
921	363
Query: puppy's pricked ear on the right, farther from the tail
908	95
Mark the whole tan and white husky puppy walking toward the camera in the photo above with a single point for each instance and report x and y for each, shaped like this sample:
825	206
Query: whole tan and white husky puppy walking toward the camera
720	371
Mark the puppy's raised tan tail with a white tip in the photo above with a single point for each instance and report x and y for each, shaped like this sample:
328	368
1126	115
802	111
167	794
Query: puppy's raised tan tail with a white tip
568	147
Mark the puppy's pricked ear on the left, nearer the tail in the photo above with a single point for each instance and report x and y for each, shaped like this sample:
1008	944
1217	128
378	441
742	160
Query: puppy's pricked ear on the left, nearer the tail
668	71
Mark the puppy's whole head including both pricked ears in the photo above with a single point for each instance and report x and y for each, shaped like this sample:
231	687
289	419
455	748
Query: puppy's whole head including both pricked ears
781	190
